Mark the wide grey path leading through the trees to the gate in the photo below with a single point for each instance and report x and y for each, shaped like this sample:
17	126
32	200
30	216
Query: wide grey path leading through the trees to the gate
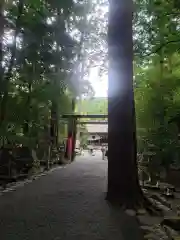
66	204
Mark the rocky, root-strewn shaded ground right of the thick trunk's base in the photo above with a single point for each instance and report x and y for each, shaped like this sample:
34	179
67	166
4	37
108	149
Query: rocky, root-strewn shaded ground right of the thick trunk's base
166	223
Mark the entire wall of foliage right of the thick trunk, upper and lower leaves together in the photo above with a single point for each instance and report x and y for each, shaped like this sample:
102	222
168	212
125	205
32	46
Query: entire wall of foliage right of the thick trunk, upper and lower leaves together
157	81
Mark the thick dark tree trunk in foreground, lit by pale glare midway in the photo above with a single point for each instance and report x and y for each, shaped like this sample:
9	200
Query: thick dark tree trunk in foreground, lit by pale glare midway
123	184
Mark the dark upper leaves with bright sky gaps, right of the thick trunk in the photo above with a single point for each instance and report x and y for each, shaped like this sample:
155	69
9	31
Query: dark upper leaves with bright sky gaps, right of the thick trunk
156	28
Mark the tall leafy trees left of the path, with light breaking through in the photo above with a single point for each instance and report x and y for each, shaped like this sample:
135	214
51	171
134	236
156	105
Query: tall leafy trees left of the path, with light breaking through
44	66
